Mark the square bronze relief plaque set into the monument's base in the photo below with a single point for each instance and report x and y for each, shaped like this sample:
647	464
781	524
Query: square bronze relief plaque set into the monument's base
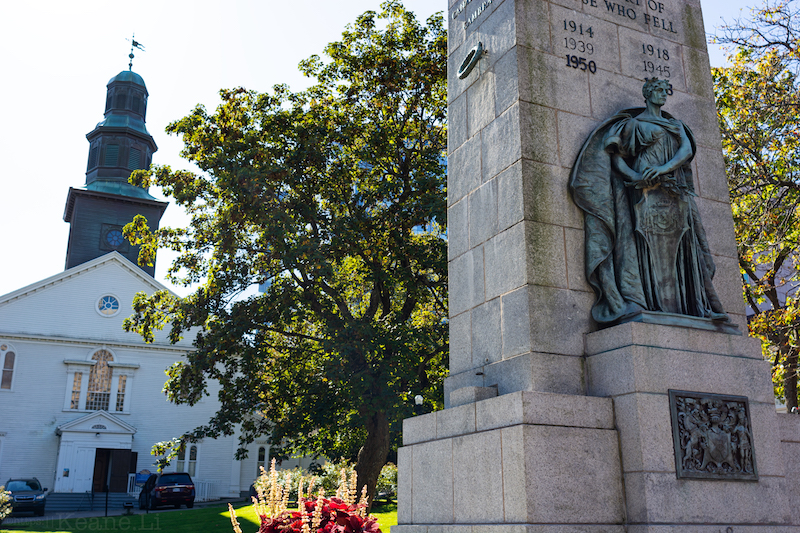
713	436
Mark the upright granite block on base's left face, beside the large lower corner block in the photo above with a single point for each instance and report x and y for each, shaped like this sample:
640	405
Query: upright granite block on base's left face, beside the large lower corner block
478	478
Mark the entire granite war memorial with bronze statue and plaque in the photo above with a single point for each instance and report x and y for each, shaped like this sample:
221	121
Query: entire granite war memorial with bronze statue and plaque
601	376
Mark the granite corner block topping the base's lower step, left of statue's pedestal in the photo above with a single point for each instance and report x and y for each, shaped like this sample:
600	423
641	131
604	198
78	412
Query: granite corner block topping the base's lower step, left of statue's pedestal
542	408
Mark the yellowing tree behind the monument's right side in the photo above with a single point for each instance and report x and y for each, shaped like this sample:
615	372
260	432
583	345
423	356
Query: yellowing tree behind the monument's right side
758	102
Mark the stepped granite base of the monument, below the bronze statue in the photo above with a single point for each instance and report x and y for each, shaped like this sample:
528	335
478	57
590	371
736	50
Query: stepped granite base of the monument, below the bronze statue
538	462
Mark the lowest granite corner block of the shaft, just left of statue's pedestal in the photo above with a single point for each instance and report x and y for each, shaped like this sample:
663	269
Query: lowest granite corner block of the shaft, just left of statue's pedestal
536	371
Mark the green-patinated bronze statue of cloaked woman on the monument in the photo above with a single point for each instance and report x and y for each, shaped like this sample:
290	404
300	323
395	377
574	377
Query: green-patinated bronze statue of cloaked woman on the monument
646	248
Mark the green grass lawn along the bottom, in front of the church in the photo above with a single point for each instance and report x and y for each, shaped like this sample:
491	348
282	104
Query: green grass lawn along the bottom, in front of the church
214	518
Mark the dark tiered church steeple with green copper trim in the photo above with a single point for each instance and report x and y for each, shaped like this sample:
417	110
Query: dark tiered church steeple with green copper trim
118	145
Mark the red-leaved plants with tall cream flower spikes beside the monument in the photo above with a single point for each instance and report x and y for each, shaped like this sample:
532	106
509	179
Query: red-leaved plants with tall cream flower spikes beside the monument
343	513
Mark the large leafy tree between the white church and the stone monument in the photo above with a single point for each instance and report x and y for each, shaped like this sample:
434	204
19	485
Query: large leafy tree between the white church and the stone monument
334	198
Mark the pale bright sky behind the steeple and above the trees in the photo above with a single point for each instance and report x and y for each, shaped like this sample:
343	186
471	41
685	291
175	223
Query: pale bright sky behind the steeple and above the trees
57	57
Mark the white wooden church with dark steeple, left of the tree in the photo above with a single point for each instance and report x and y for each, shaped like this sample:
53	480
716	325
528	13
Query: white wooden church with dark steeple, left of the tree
82	401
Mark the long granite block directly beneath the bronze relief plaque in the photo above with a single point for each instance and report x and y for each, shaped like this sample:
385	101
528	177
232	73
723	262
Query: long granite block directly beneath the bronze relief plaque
654	497
